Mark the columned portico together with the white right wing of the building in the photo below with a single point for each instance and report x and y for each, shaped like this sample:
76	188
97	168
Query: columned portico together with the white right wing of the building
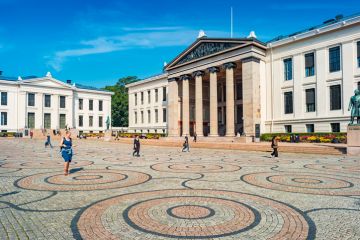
300	82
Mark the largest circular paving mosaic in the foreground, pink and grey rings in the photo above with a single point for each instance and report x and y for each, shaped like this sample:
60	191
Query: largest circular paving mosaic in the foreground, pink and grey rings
192	214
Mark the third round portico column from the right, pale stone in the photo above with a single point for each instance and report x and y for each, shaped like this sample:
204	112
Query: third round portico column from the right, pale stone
199	103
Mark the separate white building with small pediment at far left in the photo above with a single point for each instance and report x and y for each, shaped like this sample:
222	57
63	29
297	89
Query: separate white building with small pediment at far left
47	103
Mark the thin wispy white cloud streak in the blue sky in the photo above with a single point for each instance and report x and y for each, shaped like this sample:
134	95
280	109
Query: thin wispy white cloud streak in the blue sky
147	38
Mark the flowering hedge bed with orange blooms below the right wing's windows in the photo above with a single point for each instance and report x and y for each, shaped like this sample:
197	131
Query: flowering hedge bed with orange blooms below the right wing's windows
308	137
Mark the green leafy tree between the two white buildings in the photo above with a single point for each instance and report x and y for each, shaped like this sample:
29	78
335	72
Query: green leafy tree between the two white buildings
120	101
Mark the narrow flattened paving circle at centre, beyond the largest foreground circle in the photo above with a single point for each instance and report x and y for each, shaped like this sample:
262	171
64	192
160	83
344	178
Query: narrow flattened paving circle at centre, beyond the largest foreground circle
195	167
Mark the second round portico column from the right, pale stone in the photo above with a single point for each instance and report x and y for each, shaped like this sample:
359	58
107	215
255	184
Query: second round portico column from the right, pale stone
213	102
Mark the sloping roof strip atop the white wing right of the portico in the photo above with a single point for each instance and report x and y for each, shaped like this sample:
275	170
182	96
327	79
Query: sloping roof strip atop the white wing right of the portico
333	21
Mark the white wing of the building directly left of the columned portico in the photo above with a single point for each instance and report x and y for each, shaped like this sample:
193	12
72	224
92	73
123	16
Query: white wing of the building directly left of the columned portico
148	104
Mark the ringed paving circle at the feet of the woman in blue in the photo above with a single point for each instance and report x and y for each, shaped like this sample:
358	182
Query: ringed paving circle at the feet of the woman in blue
83	180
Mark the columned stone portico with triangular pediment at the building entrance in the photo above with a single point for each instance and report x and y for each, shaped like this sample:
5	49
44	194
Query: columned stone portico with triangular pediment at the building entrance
214	88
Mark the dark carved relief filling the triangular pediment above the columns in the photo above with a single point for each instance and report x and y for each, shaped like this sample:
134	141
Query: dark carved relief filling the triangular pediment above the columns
205	49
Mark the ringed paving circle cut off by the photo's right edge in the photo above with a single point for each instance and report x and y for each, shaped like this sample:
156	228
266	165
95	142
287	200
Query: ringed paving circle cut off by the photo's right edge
305	183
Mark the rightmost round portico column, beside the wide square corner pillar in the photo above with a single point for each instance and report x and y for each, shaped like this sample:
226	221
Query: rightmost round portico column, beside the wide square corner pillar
230	101
